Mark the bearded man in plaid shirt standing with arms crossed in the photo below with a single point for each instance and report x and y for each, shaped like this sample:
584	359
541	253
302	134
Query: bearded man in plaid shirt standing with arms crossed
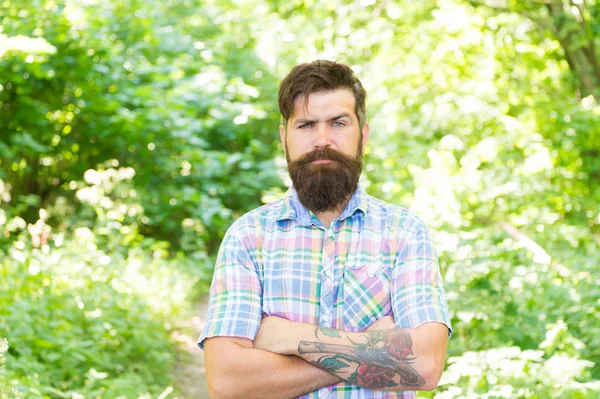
328	292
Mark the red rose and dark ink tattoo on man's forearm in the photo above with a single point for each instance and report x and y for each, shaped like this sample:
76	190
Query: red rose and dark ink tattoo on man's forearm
383	361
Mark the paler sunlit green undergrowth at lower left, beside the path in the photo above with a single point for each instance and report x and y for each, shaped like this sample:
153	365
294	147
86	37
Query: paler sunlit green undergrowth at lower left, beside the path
89	311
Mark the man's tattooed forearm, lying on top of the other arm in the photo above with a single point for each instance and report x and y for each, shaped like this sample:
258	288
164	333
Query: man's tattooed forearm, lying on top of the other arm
398	359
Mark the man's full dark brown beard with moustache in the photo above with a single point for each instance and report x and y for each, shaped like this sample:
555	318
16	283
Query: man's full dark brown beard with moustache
325	186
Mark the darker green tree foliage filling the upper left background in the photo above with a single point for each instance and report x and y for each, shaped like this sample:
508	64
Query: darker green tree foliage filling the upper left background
159	96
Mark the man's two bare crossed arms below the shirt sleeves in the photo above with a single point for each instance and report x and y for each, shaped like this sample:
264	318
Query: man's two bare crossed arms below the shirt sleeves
291	359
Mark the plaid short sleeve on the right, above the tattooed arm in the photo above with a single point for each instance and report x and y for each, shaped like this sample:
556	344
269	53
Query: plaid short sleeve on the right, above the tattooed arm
418	294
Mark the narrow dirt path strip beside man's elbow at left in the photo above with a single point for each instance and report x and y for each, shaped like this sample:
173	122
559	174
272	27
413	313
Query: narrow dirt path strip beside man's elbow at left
189	368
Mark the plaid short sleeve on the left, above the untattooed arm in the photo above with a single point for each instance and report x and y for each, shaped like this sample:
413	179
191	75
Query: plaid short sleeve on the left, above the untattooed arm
235	306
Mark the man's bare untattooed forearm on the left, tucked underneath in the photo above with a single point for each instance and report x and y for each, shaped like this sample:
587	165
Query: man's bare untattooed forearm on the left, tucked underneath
255	373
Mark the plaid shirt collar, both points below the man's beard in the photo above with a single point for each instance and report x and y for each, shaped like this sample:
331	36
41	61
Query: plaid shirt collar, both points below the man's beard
292	208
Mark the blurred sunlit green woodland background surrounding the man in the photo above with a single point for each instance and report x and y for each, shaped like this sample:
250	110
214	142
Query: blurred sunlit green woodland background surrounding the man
132	133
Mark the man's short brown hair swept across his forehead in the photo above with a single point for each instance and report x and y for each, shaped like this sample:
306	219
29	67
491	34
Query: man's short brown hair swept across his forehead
320	76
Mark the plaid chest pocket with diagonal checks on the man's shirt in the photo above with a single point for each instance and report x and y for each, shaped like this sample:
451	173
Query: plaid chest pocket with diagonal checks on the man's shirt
366	290
